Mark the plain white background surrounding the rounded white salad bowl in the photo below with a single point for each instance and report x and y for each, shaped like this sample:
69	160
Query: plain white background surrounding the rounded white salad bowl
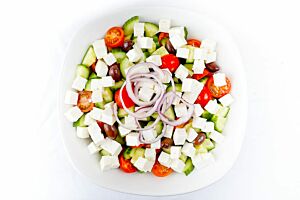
34	36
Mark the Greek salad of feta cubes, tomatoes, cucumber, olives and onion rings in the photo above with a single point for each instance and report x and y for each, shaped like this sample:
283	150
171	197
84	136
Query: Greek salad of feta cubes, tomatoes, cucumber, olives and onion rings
150	99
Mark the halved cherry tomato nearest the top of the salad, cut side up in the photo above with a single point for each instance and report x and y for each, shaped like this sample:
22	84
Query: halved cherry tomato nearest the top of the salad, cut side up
114	37
